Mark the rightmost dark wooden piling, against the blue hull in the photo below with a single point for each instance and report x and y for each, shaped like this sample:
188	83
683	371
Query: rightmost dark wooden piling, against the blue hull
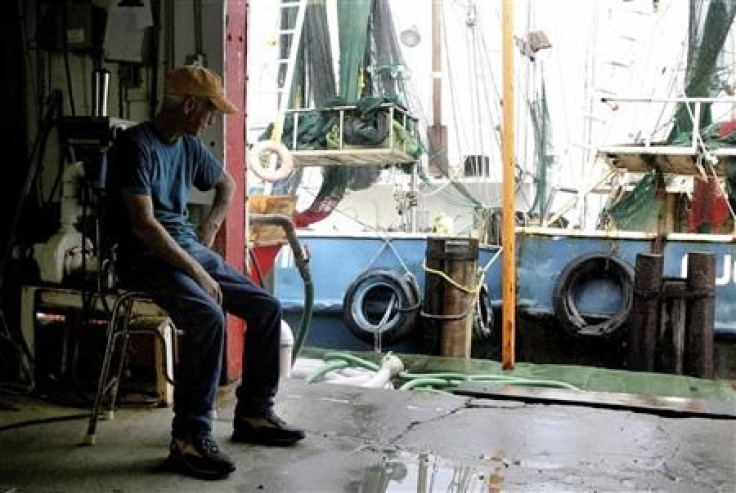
701	278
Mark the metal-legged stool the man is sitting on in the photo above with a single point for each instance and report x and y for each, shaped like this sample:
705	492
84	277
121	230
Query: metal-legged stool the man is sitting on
119	326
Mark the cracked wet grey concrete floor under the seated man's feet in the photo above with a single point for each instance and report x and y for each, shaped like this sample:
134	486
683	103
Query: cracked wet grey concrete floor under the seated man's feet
374	440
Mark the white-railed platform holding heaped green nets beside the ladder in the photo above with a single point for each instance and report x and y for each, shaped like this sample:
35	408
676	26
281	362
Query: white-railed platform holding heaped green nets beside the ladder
394	149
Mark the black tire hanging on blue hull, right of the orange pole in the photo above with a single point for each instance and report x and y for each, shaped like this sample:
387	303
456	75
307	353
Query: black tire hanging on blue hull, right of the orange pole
583	268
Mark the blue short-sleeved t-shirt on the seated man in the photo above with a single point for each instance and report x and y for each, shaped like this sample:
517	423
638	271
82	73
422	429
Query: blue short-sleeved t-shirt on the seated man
144	164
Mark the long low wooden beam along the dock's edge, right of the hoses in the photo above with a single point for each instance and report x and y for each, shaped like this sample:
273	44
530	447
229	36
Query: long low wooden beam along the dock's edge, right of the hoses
662	405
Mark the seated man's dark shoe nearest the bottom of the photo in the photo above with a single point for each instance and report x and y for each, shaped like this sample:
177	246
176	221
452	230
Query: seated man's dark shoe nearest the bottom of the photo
198	455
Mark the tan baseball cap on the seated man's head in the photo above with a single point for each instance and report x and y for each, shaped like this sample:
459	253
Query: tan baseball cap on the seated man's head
193	80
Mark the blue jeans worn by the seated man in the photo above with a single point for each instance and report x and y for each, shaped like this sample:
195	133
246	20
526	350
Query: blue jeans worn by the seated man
202	322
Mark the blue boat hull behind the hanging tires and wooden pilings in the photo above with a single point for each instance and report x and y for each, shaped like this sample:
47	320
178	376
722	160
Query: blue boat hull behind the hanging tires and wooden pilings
542	254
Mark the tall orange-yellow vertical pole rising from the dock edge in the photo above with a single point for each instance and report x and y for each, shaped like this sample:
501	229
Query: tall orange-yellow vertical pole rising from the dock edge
508	239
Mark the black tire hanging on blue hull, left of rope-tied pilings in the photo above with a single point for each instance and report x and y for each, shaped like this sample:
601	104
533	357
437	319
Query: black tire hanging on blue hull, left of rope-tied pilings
368	297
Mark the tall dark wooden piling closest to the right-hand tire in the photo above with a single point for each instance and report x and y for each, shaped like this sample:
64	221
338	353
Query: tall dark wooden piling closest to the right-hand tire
644	319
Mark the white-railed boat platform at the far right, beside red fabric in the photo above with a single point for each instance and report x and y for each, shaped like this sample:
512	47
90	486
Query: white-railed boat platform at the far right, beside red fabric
698	157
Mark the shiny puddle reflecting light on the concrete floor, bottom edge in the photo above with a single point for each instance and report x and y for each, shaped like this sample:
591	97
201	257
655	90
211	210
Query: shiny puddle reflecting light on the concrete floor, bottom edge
425	473
